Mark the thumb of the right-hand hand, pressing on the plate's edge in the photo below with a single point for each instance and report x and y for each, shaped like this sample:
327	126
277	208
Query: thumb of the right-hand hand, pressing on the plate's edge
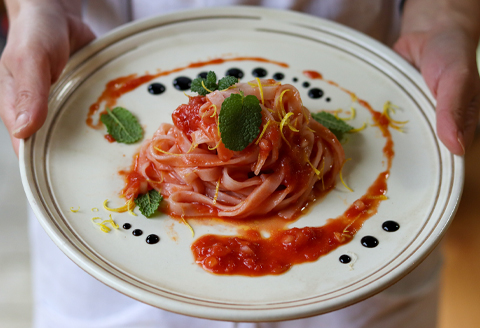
447	62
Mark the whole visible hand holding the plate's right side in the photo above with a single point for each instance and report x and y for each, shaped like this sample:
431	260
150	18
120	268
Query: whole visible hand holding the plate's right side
440	38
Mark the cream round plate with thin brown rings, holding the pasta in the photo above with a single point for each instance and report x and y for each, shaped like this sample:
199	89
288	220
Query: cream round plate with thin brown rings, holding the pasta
67	164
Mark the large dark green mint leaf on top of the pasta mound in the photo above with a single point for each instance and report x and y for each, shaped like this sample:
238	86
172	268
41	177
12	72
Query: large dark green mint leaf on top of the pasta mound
239	121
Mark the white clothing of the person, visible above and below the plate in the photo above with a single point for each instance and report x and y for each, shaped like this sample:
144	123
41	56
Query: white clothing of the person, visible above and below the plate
67	297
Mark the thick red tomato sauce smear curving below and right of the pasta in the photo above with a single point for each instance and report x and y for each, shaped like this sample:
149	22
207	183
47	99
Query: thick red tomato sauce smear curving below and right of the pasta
252	255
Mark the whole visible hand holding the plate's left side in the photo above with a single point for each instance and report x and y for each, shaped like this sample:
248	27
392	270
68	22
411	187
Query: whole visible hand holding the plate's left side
42	35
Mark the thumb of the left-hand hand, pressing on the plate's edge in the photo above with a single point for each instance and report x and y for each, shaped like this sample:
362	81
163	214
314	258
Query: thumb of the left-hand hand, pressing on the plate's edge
37	60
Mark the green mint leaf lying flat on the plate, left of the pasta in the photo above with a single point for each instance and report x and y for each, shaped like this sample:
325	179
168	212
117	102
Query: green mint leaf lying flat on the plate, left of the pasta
122	125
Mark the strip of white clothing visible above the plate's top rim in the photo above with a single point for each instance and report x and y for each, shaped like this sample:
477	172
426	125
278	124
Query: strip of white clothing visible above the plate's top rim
378	18
